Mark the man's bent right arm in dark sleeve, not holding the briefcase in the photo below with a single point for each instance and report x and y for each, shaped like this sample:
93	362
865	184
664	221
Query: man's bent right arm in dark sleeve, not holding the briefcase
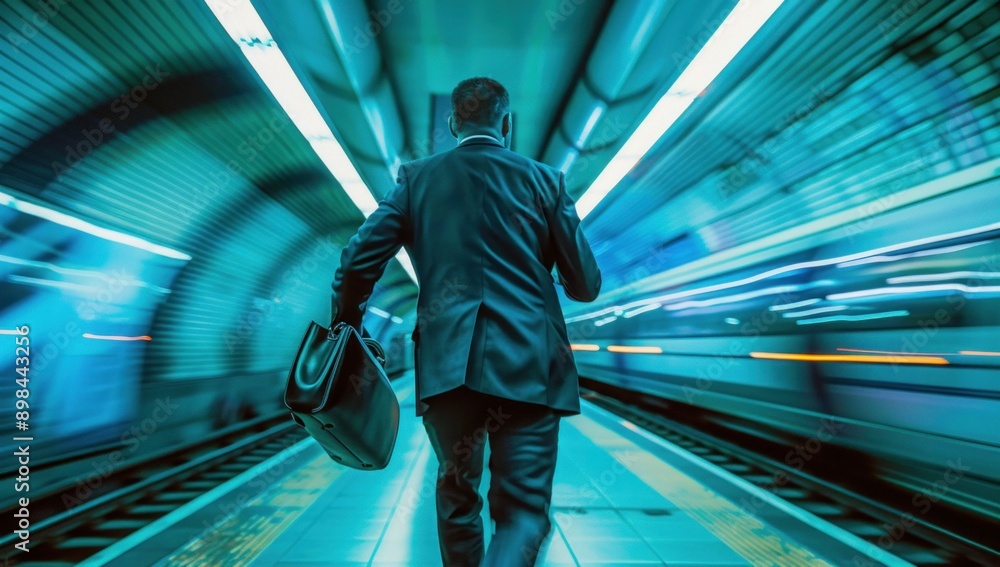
578	271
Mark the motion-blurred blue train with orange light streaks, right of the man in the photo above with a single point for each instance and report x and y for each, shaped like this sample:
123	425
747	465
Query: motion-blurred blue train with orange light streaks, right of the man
888	325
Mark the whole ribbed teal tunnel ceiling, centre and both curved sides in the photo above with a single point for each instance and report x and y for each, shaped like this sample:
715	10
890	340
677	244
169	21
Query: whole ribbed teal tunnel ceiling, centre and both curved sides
780	137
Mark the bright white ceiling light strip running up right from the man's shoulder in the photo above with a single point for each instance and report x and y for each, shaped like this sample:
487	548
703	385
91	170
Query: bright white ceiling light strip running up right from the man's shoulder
739	26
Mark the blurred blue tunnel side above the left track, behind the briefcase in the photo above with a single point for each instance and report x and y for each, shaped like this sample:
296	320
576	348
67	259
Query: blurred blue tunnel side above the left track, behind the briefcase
93	303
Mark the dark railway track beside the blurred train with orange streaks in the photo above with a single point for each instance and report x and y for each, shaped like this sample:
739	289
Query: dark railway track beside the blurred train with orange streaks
836	499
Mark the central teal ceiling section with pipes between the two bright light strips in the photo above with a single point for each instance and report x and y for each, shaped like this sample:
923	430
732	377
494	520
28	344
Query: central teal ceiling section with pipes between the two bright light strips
373	68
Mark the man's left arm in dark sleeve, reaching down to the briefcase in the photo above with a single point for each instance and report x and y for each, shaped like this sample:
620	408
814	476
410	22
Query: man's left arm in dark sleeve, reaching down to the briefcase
368	252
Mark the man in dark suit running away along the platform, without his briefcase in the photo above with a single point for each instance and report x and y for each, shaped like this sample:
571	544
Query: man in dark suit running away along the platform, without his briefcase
484	227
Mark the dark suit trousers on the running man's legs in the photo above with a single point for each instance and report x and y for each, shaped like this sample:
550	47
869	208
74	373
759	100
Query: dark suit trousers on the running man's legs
523	439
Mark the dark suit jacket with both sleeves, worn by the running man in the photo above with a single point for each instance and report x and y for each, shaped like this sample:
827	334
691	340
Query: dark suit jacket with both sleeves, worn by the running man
484	227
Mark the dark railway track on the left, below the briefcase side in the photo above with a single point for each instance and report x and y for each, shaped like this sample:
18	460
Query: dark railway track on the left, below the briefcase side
146	491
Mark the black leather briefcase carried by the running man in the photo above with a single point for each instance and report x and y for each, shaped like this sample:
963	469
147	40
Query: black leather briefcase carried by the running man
338	391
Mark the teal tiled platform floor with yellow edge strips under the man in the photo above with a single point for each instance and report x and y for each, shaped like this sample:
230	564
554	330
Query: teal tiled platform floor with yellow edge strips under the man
618	500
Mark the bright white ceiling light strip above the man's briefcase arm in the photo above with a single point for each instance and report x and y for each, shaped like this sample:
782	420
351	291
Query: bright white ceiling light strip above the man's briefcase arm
245	27
